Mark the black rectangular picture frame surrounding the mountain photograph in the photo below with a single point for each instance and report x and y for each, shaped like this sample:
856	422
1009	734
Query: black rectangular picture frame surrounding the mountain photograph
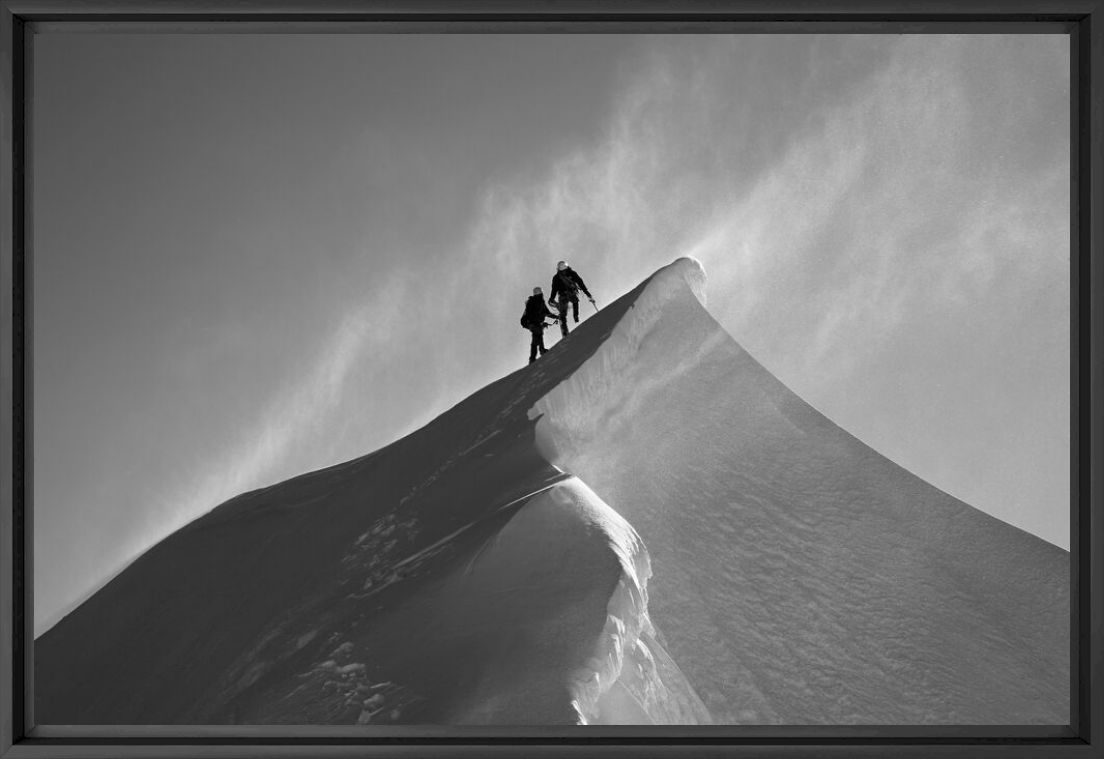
22	20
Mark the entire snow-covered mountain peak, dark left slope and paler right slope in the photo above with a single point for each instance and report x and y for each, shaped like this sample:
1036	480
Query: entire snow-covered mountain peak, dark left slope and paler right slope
644	527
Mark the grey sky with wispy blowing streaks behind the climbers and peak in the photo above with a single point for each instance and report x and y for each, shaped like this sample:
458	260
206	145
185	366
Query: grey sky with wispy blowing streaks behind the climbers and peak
256	256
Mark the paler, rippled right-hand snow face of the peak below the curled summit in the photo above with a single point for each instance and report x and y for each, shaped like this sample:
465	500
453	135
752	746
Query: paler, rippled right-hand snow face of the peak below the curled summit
800	576
